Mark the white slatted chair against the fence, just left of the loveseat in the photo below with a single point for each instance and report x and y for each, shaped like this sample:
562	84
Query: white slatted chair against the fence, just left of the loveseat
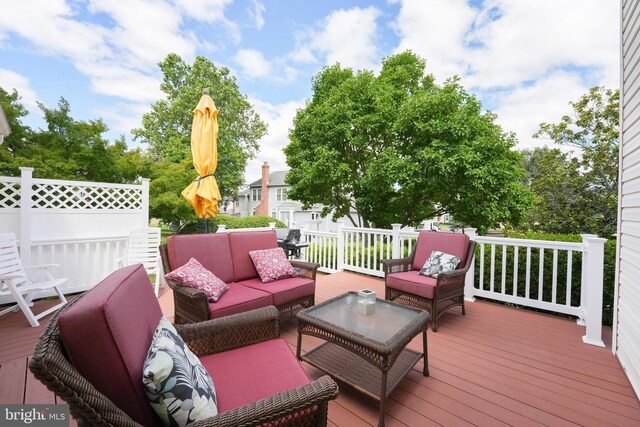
143	249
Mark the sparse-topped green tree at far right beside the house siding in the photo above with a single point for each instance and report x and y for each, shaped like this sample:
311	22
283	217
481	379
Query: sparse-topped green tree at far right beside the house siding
593	129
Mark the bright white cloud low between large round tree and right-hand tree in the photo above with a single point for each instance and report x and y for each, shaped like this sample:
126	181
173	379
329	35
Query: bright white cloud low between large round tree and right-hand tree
523	109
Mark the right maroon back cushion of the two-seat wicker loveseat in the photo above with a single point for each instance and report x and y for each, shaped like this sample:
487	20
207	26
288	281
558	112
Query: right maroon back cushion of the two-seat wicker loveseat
244	241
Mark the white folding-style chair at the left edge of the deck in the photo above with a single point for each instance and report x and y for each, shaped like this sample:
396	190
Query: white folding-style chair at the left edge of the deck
15	282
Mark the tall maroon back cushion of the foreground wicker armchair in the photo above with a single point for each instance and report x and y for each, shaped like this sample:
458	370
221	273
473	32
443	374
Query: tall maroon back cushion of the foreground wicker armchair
107	334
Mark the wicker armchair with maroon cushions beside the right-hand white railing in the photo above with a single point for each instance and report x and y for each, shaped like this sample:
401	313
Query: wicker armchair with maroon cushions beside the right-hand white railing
404	285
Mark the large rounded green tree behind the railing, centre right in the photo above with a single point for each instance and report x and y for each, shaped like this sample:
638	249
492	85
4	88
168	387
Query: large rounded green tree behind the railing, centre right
399	148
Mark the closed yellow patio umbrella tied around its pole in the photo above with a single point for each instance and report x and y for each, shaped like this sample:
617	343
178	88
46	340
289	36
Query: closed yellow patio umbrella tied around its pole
203	193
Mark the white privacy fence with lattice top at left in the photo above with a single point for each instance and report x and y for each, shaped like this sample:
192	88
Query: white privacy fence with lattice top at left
82	226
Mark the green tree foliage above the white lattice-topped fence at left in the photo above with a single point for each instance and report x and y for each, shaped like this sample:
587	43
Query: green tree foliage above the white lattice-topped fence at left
67	148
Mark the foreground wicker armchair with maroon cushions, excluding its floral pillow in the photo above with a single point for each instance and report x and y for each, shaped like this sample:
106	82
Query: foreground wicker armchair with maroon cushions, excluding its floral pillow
91	354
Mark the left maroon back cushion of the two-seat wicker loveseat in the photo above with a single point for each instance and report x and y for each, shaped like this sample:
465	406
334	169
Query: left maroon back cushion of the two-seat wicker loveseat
211	250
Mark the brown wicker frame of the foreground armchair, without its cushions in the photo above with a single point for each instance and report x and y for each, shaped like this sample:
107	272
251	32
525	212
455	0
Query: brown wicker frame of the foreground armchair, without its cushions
303	406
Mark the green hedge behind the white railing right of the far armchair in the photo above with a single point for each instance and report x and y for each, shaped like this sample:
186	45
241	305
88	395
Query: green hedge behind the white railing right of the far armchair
576	271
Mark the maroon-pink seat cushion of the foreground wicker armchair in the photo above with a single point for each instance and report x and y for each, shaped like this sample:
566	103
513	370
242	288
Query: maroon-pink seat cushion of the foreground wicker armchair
255	372
